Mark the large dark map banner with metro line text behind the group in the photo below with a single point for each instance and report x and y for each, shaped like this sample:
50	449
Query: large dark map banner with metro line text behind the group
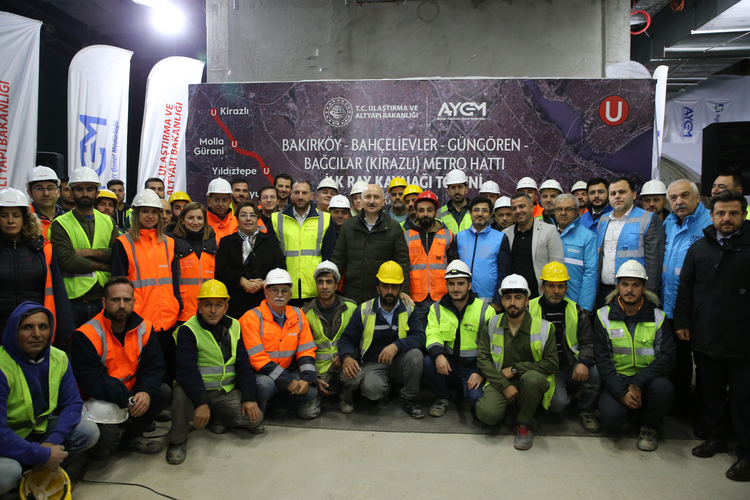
500	130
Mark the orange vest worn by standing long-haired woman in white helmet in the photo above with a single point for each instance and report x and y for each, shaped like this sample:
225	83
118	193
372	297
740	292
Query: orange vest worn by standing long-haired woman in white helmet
150	271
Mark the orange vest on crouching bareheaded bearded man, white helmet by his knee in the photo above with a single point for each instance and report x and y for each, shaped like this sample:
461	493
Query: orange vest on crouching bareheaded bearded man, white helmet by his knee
120	360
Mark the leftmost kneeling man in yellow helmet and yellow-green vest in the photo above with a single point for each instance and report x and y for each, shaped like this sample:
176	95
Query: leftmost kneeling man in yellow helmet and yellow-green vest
211	361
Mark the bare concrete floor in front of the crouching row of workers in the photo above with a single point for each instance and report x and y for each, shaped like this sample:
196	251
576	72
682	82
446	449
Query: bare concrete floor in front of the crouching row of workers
317	463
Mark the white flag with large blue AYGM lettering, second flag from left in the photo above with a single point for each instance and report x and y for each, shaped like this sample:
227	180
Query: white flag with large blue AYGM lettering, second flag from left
98	85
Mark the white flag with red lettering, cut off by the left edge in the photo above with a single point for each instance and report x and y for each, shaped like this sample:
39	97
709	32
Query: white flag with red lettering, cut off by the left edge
19	98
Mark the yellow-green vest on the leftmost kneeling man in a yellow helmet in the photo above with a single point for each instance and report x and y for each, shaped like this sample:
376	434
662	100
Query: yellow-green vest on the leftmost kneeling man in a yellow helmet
215	372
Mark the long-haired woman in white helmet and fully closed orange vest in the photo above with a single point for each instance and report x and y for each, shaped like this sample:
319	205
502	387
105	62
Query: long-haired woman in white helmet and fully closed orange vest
147	257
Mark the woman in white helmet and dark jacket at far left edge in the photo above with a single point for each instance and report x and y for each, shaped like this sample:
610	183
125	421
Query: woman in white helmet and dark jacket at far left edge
28	270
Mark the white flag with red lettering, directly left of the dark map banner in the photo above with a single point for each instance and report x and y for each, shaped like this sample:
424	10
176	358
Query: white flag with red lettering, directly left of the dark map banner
164	122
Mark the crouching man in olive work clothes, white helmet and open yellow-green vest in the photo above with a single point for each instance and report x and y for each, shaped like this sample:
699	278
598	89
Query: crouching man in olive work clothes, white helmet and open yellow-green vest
518	357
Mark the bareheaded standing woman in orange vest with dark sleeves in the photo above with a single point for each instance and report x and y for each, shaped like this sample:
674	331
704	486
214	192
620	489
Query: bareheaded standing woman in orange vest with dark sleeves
195	247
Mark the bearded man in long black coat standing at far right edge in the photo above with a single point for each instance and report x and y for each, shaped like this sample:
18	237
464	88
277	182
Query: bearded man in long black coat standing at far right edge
713	296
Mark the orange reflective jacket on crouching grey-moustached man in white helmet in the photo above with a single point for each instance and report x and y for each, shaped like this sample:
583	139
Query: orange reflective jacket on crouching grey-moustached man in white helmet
265	341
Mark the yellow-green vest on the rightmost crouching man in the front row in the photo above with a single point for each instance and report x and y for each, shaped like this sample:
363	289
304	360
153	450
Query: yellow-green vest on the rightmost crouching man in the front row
631	354
